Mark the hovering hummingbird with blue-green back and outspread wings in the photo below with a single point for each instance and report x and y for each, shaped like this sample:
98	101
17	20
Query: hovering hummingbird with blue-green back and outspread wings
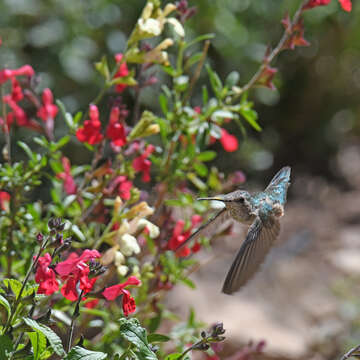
262	212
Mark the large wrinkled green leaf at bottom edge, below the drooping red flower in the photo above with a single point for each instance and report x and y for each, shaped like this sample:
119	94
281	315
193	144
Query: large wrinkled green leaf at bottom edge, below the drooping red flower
131	330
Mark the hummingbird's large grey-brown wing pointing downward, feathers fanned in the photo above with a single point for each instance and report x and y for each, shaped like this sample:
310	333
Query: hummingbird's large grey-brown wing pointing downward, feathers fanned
257	244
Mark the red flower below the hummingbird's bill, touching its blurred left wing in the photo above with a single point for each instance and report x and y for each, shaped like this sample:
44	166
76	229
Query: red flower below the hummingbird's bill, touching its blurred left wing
179	236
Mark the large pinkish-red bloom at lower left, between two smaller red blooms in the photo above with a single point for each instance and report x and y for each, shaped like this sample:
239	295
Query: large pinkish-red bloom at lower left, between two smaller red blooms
74	270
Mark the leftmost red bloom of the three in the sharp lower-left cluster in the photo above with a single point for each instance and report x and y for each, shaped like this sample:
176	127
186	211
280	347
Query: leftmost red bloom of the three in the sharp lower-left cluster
45	276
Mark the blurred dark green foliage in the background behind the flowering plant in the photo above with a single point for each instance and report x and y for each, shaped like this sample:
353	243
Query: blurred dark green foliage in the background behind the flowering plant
312	113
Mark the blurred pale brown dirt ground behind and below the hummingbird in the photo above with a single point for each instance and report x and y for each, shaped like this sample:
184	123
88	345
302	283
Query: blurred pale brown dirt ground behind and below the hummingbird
303	302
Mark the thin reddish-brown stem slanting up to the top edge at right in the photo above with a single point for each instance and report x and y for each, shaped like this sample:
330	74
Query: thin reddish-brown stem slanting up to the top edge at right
268	59
